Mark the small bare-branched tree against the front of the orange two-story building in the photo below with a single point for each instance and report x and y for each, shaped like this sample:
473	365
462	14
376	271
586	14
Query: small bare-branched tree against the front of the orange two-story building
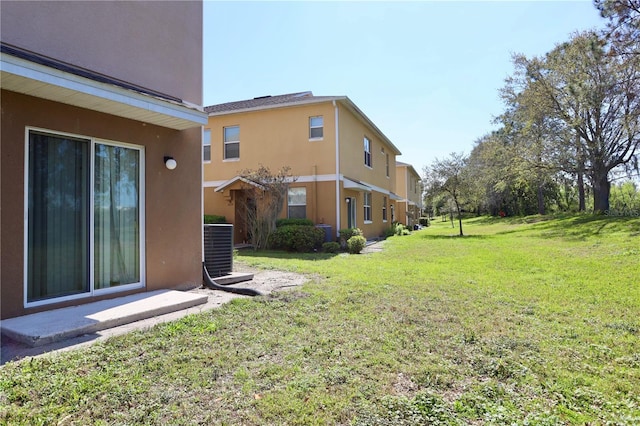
263	200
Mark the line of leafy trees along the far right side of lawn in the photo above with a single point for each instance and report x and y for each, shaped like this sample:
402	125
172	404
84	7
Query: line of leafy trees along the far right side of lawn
569	137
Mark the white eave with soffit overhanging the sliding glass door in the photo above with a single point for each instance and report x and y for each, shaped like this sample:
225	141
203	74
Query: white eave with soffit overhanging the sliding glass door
56	85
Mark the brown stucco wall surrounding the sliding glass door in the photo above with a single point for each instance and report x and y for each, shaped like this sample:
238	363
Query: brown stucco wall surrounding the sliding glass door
172	198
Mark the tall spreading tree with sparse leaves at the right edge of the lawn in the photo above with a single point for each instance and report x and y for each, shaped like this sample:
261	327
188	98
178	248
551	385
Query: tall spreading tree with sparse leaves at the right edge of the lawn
595	93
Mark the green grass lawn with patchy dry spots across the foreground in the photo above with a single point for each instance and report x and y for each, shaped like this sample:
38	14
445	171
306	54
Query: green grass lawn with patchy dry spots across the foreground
524	321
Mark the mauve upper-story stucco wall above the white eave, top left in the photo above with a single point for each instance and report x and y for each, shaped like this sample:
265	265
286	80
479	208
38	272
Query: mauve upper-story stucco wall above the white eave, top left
154	44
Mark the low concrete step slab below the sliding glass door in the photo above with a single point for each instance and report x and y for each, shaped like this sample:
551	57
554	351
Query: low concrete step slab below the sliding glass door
59	324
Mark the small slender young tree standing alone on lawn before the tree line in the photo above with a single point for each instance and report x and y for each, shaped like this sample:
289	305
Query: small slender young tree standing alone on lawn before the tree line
449	176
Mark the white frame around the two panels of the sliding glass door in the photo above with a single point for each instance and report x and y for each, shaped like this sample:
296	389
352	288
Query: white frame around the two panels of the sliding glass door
92	141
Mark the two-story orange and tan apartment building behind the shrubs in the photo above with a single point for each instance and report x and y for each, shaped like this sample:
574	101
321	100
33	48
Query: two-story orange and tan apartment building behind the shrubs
345	167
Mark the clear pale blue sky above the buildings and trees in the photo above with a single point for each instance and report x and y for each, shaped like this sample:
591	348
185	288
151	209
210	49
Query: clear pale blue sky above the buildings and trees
427	73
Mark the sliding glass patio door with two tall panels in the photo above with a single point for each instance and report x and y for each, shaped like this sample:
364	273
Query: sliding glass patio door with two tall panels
83	223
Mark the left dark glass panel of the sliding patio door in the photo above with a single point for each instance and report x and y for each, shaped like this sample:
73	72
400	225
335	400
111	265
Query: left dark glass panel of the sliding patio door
57	226
